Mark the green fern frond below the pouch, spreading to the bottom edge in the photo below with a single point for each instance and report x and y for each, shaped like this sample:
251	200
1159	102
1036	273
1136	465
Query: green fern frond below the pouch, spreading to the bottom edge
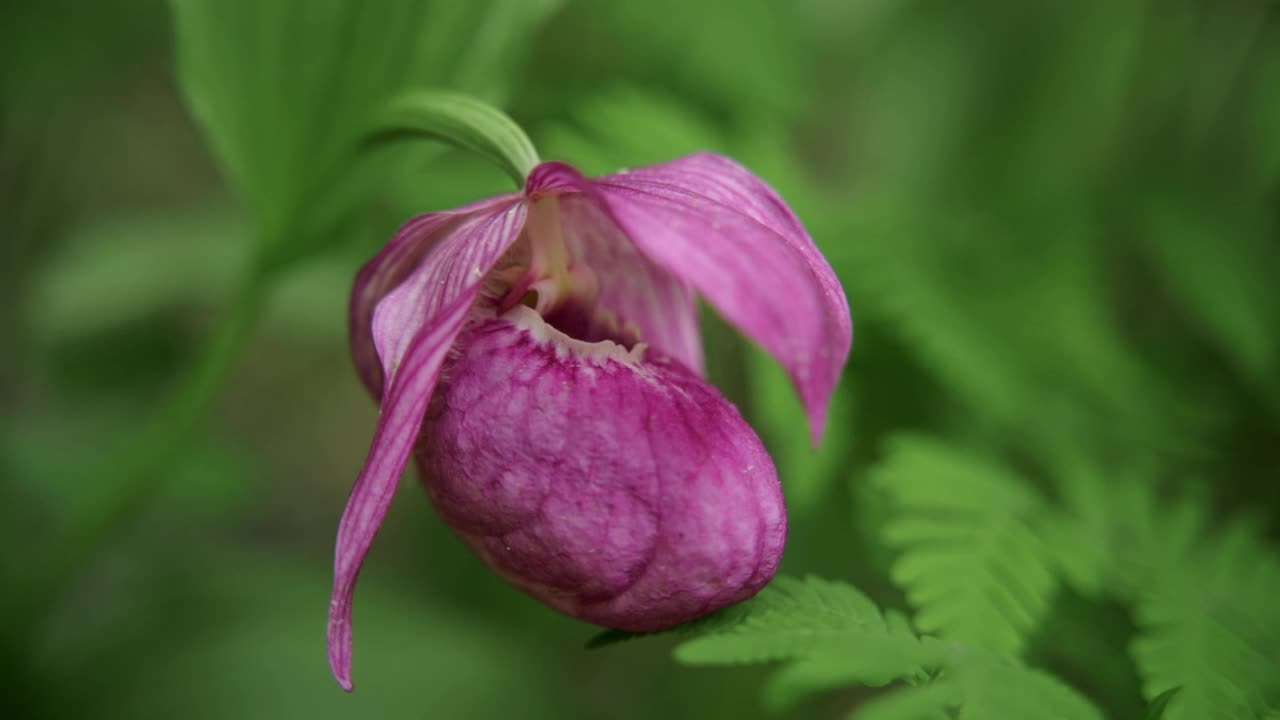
834	637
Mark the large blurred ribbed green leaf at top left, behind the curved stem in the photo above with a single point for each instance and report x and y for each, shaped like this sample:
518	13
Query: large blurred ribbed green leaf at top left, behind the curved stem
287	90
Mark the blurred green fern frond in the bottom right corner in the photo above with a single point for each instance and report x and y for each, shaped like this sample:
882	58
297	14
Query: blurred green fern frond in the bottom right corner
1210	625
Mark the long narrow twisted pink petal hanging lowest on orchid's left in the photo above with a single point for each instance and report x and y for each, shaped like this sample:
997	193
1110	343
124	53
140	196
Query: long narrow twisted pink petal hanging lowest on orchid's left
413	331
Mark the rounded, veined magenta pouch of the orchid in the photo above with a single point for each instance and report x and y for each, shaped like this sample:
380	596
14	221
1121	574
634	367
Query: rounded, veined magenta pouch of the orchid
618	487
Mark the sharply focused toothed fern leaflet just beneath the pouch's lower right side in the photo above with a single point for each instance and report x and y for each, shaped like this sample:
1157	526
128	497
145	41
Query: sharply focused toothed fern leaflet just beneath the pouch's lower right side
789	619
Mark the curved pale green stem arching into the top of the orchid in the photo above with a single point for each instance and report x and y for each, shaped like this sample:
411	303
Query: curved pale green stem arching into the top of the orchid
461	121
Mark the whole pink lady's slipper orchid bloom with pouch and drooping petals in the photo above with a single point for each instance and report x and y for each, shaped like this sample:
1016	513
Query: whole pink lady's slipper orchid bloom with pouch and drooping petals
538	354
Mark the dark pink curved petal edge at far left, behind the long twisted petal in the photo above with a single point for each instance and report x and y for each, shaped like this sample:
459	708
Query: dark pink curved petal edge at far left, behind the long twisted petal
390	268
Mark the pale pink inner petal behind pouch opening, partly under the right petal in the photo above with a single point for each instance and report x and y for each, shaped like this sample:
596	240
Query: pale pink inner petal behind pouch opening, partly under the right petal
662	306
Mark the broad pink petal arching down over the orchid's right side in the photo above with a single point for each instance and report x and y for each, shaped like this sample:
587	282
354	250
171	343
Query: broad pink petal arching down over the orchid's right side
711	224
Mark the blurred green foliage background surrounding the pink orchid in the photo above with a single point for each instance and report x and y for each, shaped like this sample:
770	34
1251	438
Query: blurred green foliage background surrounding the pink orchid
1057	225
